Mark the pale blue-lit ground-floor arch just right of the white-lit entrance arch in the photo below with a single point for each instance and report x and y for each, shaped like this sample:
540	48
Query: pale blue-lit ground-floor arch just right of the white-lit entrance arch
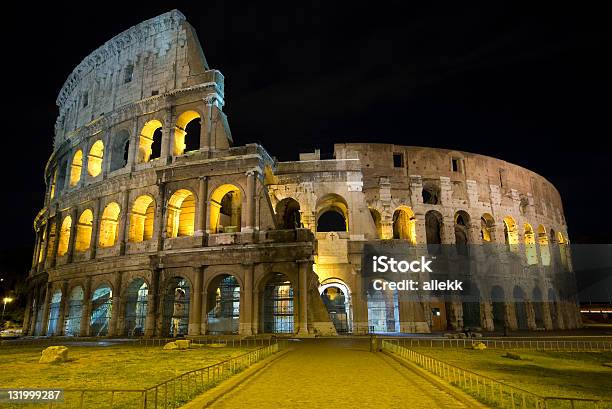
383	310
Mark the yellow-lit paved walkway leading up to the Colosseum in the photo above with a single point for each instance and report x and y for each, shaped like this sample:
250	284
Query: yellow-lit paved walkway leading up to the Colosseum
336	373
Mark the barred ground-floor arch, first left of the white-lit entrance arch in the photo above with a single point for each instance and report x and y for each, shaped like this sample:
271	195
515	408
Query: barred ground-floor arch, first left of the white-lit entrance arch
278	305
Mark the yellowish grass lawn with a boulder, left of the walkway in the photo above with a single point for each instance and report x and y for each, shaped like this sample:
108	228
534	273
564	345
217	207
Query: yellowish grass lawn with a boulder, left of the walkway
103	367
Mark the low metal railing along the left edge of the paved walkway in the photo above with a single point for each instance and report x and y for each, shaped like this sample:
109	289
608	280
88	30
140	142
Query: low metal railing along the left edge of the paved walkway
169	394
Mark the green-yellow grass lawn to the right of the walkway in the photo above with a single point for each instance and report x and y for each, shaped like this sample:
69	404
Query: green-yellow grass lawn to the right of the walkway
562	374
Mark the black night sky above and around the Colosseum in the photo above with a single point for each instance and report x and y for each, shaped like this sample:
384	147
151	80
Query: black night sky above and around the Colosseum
528	84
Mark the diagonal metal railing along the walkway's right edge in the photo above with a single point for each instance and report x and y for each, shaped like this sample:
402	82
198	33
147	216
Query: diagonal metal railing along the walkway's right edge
488	390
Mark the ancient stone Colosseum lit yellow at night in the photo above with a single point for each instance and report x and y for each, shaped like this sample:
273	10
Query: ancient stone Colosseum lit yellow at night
154	224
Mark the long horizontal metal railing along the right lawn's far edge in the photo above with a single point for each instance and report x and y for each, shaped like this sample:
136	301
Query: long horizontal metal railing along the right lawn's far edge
526	344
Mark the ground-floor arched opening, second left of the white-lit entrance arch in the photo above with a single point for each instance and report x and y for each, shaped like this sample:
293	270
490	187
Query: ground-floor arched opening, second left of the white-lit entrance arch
223	309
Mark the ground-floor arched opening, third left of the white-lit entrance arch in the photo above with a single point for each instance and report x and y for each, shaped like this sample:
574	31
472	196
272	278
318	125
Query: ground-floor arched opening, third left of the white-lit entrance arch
176	307
